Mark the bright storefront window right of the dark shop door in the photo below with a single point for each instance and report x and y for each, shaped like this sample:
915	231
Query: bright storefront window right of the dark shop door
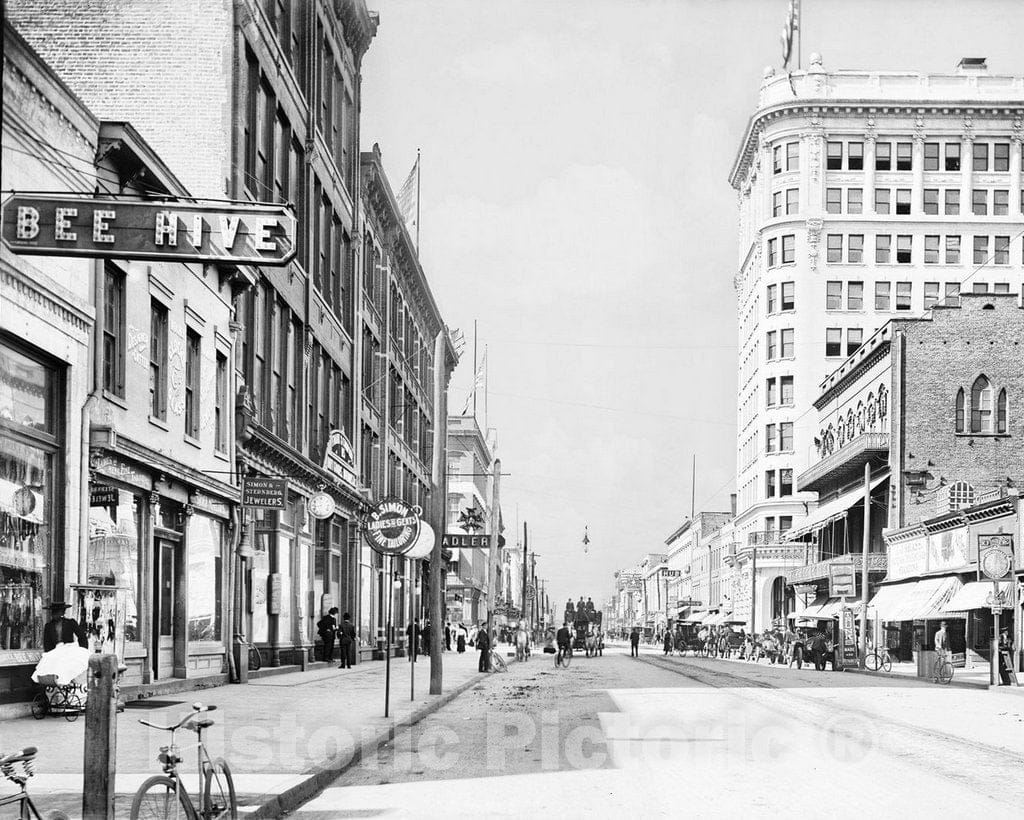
205	578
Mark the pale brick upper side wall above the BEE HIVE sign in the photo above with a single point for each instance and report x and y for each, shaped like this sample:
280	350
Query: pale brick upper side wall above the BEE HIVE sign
148	62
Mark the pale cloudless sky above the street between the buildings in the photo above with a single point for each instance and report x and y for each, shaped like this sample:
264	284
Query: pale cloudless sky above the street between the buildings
576	205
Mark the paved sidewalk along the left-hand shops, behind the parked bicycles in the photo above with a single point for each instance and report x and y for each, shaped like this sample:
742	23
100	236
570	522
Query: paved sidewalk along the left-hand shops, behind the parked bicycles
285	738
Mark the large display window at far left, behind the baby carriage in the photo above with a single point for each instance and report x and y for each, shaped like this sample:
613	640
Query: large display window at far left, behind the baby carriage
29	514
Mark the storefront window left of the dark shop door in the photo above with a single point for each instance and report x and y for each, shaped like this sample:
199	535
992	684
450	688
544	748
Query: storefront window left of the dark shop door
114	535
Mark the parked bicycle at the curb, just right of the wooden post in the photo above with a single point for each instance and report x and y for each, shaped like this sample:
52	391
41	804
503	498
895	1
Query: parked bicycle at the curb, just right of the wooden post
165	796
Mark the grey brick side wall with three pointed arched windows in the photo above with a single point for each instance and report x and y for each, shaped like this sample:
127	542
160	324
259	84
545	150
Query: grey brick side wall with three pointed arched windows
942	356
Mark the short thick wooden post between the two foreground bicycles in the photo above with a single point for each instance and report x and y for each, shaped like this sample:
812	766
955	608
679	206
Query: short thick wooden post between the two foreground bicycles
100	761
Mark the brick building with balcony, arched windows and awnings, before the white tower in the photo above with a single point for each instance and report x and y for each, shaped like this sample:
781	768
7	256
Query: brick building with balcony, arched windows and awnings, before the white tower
925	415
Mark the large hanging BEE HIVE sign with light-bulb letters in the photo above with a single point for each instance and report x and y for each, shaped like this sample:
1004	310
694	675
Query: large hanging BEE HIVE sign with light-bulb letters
168	231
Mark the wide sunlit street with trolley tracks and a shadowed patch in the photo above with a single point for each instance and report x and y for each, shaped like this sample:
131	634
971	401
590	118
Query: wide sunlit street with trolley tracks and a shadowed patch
654	736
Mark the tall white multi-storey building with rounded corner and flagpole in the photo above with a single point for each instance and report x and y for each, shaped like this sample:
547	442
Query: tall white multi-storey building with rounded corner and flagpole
864	197
